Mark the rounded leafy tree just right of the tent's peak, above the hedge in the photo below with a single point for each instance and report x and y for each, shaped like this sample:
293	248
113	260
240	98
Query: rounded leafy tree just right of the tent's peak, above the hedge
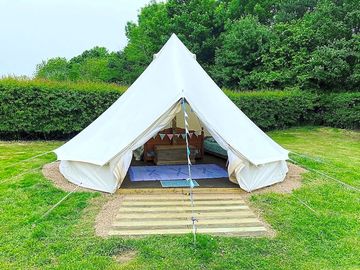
245	43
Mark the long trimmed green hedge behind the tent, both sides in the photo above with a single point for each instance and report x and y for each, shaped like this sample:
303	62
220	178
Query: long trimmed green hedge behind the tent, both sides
31	109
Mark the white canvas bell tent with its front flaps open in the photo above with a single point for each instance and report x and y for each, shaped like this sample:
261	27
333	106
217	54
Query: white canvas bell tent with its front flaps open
100	155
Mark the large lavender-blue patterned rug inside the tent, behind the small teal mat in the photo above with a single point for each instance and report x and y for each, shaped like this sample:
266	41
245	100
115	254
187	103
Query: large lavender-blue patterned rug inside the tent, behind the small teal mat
176	172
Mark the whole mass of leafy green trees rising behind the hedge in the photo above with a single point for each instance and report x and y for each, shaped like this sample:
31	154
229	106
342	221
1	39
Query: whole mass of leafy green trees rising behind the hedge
244	44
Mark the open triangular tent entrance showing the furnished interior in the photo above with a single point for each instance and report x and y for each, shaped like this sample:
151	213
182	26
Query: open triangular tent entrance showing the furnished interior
163	158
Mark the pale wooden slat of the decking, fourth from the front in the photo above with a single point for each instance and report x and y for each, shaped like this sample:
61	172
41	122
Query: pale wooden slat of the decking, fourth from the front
185	208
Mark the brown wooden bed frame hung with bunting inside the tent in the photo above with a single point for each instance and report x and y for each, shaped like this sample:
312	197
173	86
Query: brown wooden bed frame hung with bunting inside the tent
195	141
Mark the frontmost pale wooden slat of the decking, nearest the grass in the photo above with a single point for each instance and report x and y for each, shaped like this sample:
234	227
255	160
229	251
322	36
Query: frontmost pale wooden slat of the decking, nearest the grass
231	230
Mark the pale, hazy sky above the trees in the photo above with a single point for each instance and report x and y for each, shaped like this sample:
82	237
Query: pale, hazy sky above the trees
36	30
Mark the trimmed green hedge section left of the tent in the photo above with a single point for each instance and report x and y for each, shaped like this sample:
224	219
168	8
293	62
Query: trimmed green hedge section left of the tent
46	109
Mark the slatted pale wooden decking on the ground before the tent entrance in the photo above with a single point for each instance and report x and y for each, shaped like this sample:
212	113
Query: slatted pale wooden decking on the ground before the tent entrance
164	211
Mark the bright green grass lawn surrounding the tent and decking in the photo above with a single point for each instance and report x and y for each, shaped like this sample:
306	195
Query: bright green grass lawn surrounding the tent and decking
328	238
